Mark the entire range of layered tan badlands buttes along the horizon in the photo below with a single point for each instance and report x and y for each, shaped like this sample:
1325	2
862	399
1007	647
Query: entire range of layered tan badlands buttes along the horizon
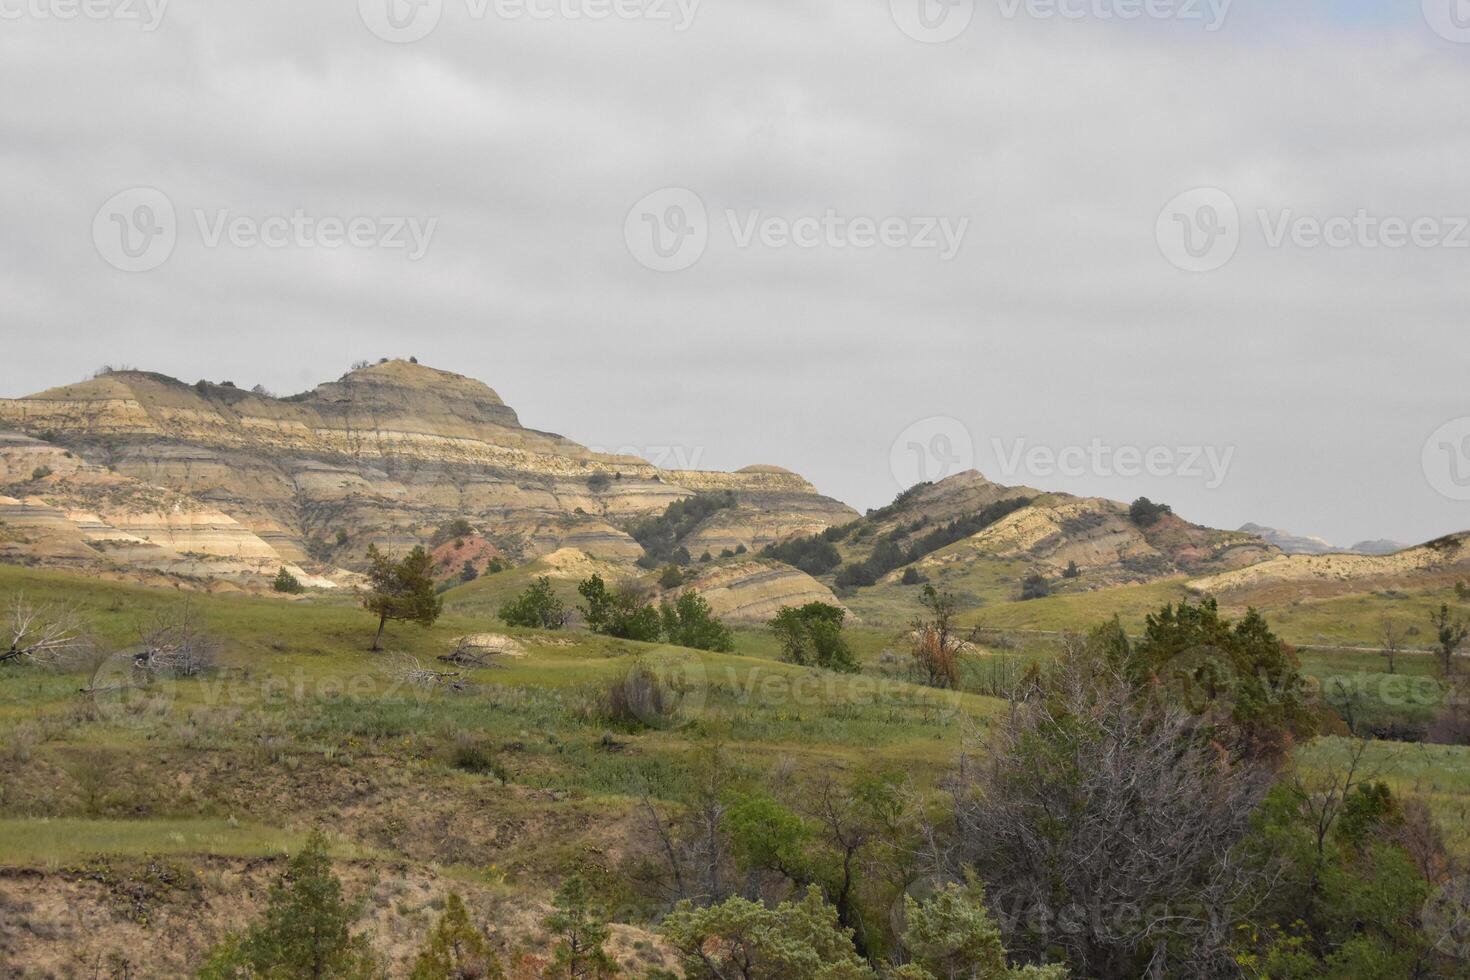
139	477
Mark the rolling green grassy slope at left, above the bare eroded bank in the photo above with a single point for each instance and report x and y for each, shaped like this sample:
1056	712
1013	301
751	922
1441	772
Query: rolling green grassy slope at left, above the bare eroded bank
304	710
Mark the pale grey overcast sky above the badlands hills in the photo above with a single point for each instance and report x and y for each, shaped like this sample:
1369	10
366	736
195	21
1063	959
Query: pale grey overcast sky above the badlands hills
1059	312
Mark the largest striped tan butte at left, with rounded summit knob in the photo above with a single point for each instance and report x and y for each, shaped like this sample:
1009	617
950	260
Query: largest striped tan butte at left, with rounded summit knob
384	456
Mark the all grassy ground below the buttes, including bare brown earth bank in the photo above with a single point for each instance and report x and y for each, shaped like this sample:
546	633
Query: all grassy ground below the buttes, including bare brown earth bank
164	810
